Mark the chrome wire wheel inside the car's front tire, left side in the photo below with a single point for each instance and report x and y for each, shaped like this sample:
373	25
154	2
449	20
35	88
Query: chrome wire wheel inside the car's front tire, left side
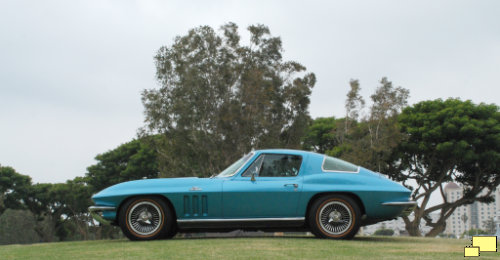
145	218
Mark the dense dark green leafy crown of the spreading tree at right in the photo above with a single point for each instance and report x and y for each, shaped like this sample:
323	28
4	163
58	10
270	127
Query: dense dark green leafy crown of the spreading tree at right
452	139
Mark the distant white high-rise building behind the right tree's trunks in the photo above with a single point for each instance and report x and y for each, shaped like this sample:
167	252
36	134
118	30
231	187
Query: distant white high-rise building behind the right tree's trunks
471	216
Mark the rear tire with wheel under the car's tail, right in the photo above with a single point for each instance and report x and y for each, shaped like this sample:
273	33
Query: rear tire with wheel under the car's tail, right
334	217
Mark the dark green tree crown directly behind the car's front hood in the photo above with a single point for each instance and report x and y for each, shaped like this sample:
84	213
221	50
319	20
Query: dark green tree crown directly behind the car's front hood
130	161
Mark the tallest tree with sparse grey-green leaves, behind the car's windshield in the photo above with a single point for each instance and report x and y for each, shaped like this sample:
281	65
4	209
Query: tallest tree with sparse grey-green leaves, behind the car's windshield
218	99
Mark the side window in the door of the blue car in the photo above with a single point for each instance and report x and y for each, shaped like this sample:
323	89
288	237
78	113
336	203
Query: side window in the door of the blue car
280	165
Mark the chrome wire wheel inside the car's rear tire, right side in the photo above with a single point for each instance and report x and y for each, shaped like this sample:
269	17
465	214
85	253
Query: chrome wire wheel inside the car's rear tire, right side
335	218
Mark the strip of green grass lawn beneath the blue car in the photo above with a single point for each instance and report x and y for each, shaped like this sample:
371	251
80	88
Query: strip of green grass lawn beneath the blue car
248	248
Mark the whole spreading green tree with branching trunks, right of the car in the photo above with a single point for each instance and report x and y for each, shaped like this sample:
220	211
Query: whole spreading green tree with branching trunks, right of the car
449	140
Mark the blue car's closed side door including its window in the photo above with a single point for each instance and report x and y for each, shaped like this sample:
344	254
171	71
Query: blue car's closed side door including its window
273	191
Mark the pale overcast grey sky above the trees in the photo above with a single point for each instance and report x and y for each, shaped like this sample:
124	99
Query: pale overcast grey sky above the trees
71	72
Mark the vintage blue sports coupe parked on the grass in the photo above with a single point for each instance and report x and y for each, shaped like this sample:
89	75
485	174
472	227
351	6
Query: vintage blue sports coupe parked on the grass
268	190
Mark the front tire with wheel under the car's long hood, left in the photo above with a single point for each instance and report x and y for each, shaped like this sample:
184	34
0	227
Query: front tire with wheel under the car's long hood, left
145	218
